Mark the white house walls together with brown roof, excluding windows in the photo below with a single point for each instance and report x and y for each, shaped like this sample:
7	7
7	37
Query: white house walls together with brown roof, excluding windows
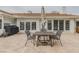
14	19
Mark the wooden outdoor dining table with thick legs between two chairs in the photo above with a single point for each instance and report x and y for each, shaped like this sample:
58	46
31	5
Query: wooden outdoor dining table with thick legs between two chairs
44	34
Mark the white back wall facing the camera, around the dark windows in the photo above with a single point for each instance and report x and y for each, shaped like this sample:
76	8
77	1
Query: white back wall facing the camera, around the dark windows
38	25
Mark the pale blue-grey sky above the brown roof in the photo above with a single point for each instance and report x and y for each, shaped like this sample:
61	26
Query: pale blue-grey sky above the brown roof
24	9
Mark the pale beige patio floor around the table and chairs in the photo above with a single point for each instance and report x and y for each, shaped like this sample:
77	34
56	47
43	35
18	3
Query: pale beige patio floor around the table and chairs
15	44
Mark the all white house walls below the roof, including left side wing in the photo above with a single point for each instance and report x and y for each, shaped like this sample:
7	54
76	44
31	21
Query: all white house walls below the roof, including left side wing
38	25
